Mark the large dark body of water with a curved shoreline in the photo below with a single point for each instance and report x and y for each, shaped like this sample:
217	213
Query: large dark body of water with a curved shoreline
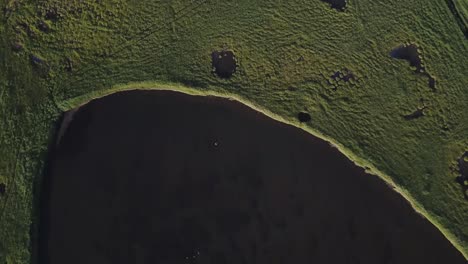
162	177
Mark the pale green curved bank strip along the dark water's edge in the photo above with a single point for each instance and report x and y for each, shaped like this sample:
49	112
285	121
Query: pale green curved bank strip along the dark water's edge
77	102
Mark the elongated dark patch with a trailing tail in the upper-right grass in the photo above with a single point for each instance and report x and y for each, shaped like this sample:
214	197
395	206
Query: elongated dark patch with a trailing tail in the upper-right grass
410	53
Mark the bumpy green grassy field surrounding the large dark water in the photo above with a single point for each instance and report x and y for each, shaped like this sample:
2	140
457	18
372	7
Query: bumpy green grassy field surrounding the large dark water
55	54
